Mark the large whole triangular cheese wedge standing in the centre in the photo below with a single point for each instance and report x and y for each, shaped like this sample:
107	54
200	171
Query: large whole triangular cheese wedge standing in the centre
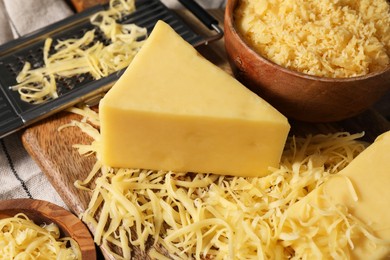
174	110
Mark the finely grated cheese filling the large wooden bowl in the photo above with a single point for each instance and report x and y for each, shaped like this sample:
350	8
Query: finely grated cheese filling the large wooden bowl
327	38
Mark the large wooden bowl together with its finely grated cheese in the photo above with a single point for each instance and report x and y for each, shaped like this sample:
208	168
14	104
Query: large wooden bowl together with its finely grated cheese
309	65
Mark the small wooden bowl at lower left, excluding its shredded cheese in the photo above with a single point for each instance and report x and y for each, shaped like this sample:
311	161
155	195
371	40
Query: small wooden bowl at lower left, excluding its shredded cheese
45	212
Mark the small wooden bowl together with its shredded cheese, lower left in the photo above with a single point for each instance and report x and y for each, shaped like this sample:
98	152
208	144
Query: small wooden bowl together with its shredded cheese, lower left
31	228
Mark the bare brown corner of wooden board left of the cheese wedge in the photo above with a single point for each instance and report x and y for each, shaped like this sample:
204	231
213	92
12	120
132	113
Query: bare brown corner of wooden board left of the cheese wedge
54	153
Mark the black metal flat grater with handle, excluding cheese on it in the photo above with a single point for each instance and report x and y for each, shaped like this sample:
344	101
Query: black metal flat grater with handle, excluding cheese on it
16	114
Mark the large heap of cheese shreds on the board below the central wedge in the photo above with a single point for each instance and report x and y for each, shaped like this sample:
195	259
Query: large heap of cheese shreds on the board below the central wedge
206	216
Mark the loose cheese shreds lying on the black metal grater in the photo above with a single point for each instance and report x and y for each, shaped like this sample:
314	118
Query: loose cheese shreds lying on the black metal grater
73	57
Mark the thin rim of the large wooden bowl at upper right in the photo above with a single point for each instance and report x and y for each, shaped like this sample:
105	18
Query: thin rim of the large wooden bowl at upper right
230	24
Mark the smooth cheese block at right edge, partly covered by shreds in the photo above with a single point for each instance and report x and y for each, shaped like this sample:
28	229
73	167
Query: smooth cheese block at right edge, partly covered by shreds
364	188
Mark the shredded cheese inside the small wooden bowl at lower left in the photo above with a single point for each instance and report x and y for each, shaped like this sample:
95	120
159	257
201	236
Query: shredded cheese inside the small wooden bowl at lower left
21	238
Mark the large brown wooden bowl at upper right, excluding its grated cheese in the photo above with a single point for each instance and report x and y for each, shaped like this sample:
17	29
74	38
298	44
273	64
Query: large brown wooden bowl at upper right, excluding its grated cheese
297	95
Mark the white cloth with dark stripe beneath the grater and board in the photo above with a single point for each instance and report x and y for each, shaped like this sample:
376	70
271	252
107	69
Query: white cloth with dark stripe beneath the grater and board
20	177
